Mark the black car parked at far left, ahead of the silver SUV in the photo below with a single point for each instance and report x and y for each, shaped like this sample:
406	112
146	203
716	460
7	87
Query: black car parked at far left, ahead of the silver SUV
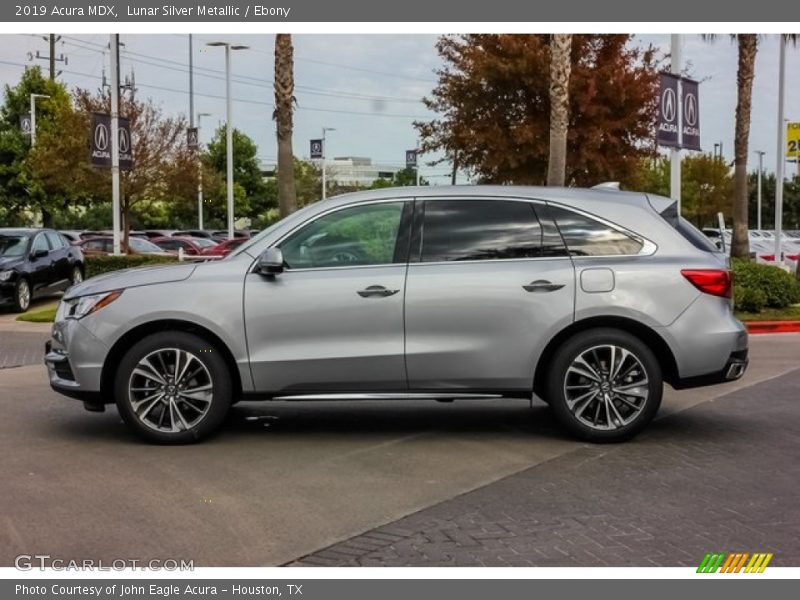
34	263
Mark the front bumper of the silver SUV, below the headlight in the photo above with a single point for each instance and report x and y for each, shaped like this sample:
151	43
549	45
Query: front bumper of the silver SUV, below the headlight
74	359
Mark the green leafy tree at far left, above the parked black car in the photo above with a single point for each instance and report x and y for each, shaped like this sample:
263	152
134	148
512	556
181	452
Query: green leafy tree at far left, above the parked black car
21	186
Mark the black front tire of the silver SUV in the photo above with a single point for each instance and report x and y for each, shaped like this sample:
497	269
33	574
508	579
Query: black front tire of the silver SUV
215	370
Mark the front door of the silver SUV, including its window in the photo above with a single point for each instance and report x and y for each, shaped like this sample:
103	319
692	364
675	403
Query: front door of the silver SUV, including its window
332	321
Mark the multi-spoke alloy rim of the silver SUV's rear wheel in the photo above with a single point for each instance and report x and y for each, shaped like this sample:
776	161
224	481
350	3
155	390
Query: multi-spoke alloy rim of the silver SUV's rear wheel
606	387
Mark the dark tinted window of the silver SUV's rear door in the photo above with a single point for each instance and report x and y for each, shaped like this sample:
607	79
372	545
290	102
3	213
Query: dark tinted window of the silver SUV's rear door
456	230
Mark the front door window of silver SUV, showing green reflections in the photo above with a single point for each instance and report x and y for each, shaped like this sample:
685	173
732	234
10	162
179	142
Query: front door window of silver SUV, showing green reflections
356	236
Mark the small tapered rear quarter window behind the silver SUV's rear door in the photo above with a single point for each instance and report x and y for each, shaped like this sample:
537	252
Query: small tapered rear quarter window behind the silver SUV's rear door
585	236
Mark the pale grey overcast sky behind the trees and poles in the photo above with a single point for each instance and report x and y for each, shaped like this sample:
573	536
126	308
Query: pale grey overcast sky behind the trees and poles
368	87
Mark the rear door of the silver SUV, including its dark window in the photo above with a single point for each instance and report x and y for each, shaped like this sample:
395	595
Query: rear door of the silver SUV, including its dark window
488	280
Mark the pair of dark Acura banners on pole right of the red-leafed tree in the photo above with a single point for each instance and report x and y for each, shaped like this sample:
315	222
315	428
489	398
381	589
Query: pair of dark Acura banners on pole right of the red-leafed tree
678	112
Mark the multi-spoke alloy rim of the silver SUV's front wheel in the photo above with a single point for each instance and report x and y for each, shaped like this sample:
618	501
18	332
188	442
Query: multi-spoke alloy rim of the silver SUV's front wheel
170	390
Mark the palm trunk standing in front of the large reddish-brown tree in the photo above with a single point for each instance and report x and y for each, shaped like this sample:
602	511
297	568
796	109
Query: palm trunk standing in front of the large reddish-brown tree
560	66
